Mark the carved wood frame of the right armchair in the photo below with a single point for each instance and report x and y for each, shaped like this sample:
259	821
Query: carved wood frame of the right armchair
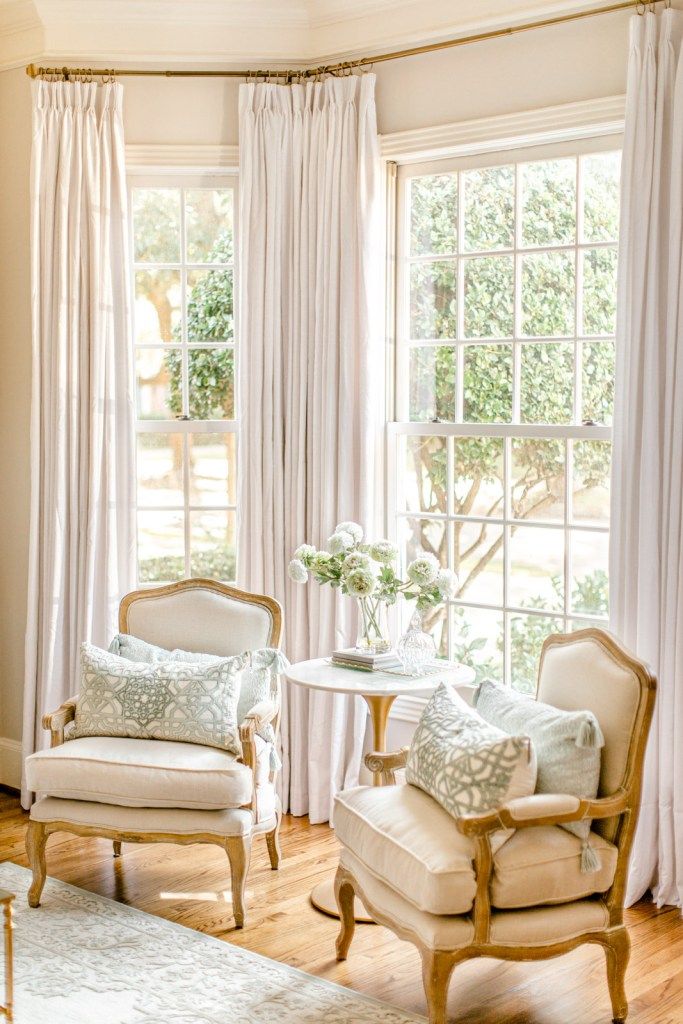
438	965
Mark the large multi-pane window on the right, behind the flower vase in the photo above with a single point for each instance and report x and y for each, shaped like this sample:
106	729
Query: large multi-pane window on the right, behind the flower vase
501	451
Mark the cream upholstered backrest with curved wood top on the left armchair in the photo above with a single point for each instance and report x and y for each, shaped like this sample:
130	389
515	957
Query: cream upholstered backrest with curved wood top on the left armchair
202	616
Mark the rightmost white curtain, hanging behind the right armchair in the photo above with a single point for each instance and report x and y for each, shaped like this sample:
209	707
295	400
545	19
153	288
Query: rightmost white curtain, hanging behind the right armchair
647	547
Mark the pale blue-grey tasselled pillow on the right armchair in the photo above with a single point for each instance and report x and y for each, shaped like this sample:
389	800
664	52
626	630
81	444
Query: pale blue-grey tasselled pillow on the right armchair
567	744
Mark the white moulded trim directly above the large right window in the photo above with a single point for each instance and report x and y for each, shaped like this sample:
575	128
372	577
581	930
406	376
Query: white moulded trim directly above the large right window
551	124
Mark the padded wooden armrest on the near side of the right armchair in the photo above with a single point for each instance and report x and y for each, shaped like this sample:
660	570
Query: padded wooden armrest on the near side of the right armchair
542	809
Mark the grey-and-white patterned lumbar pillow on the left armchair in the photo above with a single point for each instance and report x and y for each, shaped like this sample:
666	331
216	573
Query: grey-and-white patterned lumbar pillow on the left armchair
190	703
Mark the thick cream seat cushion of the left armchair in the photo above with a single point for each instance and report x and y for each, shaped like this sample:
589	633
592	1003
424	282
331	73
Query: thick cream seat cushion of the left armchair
145	774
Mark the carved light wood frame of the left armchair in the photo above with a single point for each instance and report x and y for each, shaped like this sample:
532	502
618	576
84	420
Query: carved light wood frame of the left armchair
238	848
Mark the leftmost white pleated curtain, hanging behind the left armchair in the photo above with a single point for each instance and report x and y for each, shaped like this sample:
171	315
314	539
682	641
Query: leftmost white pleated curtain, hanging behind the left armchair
81	548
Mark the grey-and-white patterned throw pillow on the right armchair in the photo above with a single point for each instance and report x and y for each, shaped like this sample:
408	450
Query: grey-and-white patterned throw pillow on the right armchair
468	766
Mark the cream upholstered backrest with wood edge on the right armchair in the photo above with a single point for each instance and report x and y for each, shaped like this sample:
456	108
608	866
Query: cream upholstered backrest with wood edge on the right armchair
589	670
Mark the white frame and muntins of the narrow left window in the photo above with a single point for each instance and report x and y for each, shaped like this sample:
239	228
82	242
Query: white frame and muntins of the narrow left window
163	179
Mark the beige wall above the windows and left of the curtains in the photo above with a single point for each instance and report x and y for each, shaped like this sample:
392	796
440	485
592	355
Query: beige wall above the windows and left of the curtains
539	69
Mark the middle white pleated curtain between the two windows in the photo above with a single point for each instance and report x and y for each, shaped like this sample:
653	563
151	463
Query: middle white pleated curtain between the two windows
312	382
